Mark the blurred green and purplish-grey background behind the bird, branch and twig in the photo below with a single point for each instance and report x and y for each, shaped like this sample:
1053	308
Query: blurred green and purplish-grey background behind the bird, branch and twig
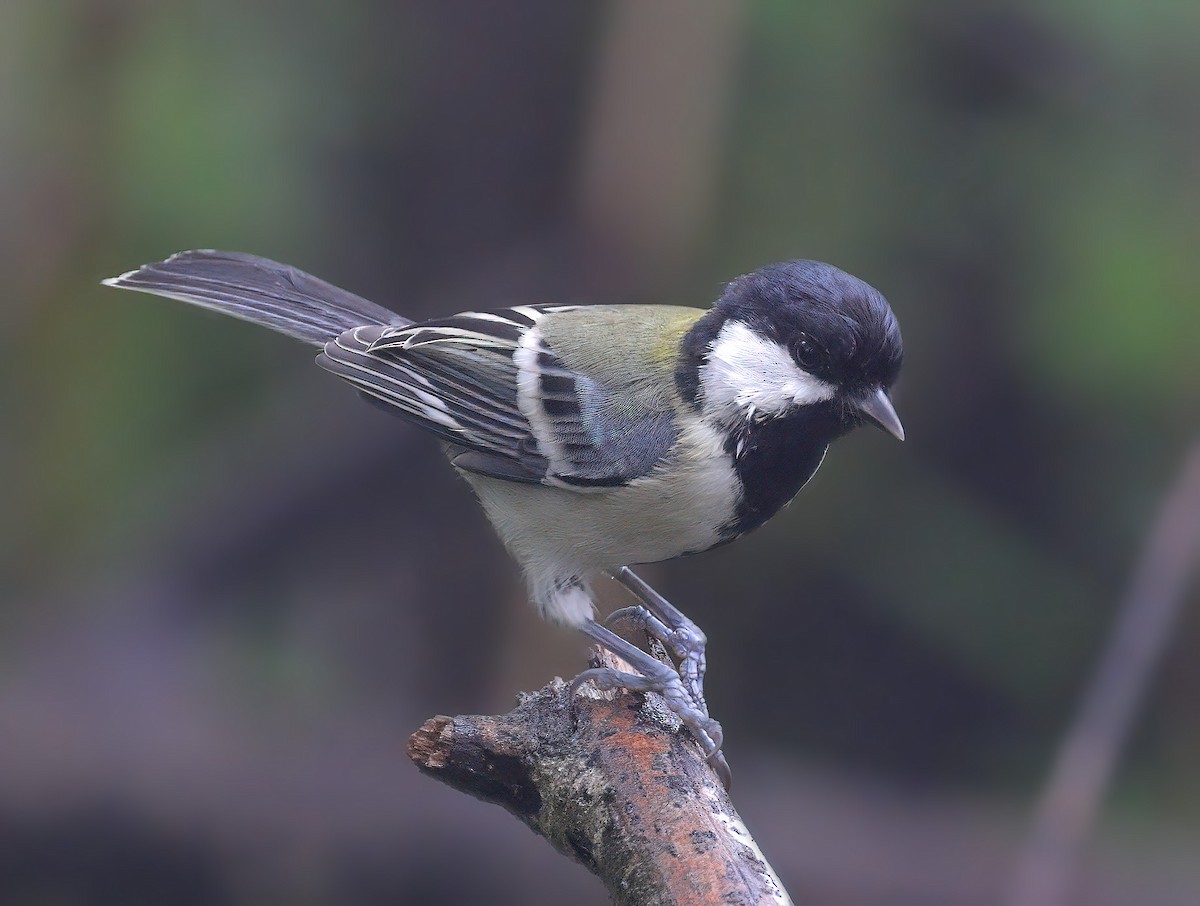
230	591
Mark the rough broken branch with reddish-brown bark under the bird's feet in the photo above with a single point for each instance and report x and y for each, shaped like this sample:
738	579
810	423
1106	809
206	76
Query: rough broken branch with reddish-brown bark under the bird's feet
615	784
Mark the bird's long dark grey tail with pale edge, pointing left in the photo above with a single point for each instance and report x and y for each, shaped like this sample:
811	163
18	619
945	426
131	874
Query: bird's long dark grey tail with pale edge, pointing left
256	290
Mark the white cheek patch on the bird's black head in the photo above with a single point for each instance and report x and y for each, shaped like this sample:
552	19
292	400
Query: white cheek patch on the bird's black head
748	375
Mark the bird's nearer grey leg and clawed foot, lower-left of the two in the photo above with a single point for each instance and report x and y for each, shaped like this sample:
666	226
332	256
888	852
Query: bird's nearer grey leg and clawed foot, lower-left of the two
655	676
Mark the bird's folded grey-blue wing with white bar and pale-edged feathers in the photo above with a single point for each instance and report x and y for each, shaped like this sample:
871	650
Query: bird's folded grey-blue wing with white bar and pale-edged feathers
489	385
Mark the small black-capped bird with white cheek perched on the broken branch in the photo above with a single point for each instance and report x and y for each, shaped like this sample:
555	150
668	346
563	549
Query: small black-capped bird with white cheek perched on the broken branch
601	437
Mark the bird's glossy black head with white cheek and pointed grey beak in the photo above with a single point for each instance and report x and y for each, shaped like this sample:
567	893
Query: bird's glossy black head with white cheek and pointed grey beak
793	337
